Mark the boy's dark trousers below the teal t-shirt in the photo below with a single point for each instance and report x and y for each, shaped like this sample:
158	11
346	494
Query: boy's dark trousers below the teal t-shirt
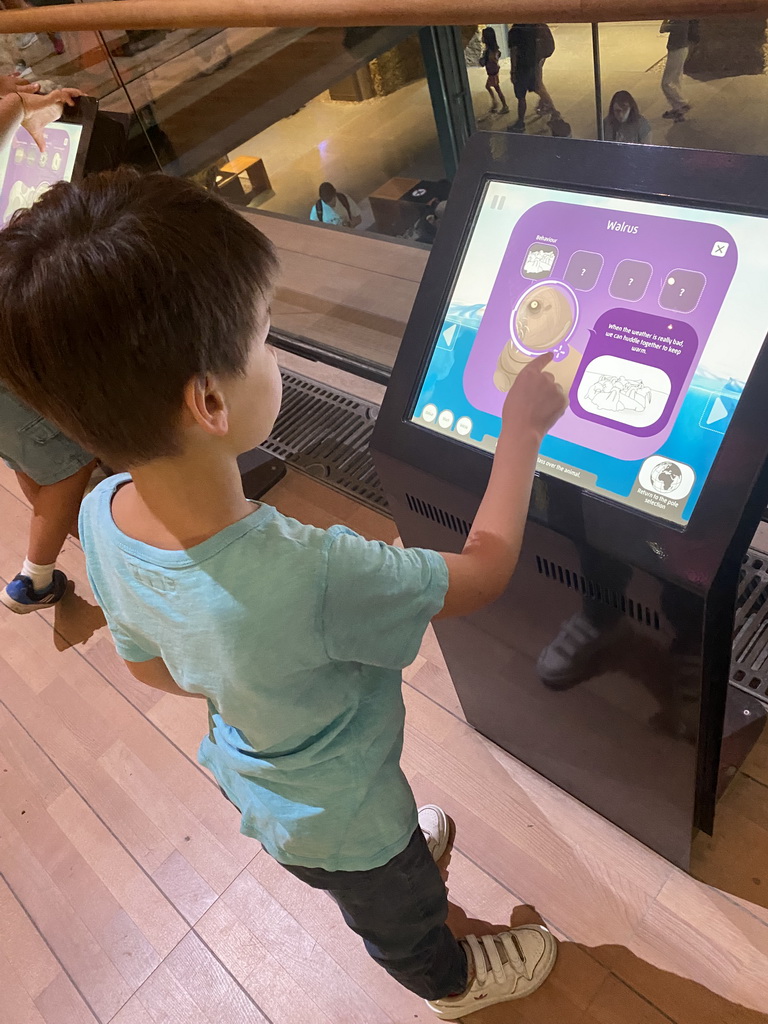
400	912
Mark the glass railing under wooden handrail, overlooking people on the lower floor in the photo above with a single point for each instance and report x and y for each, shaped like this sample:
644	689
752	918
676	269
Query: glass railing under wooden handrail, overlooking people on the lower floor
269	118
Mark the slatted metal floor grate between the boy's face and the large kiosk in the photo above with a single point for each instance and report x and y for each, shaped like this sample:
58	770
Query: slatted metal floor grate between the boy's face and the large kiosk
325	434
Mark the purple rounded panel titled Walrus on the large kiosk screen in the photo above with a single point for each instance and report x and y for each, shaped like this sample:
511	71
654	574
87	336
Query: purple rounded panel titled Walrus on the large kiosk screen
633	298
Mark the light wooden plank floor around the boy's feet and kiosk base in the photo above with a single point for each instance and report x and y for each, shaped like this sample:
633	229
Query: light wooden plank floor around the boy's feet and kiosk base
129	895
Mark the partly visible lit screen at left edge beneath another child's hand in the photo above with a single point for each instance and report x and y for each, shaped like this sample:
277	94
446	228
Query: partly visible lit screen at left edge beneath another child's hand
26	173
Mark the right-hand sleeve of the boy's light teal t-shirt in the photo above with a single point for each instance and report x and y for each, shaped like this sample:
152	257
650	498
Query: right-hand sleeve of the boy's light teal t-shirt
379	601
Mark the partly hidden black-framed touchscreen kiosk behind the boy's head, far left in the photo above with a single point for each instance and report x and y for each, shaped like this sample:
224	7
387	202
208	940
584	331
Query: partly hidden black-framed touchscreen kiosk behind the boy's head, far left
26	173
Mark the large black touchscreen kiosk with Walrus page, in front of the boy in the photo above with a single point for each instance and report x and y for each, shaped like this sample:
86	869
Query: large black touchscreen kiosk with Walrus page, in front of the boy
644	272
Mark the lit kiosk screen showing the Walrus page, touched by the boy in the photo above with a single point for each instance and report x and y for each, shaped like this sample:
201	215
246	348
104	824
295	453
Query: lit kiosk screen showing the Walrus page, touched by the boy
655	315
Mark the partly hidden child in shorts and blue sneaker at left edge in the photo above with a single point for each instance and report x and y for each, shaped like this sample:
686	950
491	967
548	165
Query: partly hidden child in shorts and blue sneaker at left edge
53	472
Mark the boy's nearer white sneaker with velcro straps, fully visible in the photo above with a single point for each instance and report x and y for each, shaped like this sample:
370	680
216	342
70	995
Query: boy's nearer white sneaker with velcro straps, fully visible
506	967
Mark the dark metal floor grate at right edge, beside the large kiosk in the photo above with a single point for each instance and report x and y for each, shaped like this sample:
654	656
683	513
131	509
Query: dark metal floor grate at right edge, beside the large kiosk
750	663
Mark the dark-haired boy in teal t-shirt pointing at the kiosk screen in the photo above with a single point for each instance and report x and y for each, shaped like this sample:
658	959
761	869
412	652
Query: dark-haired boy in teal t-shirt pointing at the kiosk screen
154	356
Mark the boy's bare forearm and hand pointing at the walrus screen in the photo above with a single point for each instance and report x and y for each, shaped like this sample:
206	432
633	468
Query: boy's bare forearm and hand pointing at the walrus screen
481	574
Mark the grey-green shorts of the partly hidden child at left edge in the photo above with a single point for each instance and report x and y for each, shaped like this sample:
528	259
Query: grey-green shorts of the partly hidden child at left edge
33	446
